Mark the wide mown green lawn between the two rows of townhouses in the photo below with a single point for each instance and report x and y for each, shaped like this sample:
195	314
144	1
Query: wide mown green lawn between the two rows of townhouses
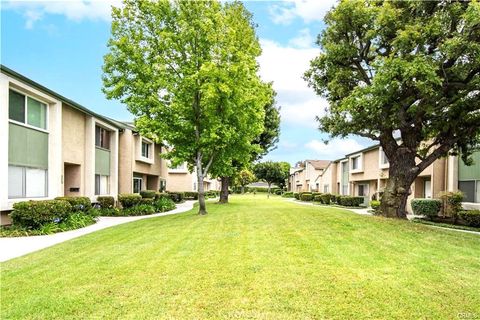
254	258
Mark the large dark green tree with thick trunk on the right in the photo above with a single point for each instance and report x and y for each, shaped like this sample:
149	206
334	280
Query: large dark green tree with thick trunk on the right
407	69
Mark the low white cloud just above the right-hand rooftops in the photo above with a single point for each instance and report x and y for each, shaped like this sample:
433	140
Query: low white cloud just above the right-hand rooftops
336	148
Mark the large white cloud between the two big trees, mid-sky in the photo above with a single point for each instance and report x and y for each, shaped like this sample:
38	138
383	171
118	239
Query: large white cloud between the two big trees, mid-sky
285	67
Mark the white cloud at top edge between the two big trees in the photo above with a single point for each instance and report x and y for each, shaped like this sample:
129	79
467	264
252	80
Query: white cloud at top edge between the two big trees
308	10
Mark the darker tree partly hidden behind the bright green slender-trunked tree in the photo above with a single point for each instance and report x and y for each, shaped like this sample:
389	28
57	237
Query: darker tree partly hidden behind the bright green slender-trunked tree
266	142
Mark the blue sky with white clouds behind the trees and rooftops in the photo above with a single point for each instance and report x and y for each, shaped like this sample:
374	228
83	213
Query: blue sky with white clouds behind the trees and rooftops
61	44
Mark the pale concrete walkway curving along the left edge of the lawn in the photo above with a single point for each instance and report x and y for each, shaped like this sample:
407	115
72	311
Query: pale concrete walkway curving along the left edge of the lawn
16	247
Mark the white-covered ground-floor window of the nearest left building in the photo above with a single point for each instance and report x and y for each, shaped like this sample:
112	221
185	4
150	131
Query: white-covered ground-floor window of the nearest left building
25	182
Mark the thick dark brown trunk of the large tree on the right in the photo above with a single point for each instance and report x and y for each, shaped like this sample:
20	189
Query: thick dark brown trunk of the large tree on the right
402	174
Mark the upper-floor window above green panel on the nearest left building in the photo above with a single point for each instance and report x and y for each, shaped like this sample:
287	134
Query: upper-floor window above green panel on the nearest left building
24	109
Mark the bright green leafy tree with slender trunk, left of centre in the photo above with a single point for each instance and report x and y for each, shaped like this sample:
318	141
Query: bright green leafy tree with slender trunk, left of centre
187	70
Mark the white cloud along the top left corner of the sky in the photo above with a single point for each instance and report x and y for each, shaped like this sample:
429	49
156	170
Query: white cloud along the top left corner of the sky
75	10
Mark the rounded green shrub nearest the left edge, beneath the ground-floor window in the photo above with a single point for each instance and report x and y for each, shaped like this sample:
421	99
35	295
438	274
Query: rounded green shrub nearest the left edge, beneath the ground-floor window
34	214
